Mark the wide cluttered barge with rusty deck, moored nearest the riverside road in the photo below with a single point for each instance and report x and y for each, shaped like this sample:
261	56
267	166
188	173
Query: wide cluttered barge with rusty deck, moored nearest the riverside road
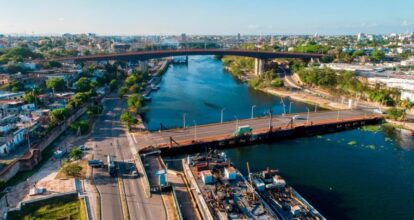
221	190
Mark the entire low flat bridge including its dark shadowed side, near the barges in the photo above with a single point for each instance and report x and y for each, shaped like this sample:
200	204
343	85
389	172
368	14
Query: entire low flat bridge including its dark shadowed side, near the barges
221	135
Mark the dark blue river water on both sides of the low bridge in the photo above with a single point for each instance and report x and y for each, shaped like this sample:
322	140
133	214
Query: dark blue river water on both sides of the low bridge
354	174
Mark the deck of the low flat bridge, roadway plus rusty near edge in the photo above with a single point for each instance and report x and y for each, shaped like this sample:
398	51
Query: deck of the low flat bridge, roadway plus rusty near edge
214	132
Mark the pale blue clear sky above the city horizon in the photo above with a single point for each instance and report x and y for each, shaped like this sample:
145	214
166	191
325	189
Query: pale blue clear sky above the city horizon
130	17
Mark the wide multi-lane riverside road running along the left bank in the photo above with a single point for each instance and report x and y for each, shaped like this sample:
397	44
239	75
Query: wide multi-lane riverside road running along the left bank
110	138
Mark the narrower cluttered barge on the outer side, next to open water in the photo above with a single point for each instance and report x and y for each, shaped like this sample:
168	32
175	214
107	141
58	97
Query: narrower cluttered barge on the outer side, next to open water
282	198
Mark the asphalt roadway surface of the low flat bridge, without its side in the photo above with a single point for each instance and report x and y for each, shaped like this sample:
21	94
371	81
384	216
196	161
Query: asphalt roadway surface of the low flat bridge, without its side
227	128
